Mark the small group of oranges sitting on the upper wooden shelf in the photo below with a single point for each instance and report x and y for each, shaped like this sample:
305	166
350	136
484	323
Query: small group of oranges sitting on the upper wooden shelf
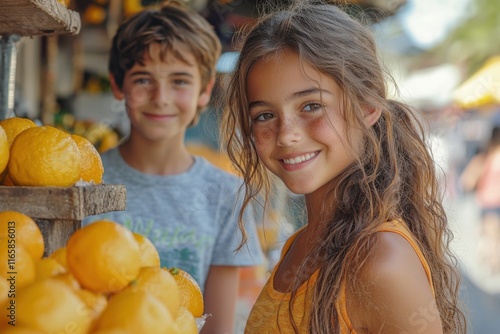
32	155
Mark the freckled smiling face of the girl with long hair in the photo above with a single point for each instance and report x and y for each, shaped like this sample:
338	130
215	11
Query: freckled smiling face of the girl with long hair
297	124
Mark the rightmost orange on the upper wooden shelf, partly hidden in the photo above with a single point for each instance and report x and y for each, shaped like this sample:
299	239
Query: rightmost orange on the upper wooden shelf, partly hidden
90	161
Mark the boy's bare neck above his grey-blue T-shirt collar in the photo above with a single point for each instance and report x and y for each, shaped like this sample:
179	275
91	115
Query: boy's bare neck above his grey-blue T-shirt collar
156	158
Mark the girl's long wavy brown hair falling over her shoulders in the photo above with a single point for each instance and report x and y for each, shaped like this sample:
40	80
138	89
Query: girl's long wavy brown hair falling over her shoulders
394	177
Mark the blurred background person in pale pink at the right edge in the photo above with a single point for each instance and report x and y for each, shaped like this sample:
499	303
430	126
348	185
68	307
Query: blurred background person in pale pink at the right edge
482	176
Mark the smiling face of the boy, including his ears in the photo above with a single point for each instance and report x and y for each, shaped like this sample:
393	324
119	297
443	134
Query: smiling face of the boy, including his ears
162	95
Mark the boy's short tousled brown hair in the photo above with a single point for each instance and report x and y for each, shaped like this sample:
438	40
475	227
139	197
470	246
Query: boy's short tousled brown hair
171	24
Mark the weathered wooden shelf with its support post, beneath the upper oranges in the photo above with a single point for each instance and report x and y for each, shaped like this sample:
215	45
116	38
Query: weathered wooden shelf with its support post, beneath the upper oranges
59	211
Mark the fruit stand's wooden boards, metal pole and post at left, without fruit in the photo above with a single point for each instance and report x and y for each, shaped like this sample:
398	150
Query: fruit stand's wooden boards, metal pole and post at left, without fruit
57	210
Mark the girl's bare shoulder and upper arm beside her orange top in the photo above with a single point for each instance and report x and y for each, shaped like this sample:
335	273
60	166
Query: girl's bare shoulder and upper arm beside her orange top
396	296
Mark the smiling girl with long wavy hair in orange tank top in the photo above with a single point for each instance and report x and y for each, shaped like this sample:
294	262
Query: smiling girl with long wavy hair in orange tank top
308	103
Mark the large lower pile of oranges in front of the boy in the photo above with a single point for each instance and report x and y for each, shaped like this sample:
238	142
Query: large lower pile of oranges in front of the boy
106	279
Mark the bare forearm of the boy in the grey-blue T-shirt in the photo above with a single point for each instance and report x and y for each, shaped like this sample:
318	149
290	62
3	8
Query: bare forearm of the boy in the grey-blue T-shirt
221	293
